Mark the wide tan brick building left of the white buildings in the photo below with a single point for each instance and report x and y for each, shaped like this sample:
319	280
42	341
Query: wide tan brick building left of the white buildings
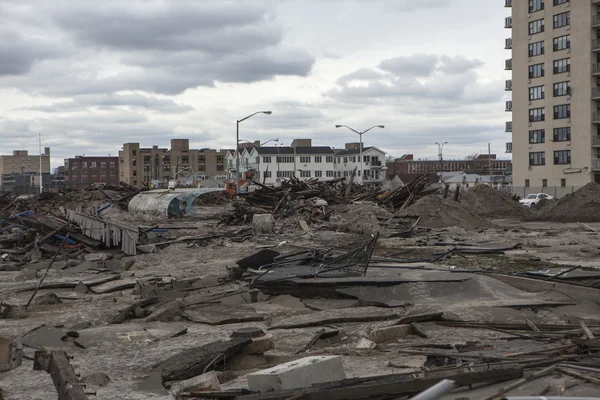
139	165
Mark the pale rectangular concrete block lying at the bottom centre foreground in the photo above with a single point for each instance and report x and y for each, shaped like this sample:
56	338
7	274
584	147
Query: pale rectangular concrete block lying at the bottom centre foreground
297	374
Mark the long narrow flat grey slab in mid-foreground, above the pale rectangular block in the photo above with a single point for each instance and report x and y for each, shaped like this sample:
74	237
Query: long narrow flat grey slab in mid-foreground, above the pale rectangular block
358	314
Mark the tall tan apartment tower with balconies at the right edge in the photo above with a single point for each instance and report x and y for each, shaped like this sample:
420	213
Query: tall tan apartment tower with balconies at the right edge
555	93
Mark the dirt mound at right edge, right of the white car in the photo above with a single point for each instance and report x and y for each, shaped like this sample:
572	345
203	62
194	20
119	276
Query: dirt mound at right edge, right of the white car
581	206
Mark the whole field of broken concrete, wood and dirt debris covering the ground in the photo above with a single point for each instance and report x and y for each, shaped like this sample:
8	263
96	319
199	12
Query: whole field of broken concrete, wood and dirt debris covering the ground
312	290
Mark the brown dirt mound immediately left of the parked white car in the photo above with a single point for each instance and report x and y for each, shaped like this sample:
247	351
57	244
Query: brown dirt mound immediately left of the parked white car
491	203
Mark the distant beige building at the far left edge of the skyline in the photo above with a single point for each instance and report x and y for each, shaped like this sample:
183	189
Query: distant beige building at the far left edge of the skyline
20	171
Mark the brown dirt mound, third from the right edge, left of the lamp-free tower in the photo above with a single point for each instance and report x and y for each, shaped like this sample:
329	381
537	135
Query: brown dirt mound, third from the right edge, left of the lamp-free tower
436	212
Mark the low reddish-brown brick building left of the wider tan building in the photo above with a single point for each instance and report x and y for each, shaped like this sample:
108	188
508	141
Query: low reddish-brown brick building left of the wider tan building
83	171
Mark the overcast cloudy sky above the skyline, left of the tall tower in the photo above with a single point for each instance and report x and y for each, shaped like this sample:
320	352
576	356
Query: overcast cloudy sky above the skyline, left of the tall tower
90	76
